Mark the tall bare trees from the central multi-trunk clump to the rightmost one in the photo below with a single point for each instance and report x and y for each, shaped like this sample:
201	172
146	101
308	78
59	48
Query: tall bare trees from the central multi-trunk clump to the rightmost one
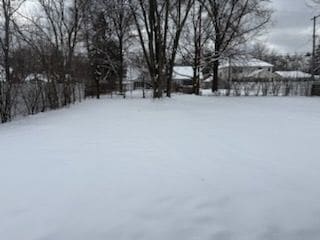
219	27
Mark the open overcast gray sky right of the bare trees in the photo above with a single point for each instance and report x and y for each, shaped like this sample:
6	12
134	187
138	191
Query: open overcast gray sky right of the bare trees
292	28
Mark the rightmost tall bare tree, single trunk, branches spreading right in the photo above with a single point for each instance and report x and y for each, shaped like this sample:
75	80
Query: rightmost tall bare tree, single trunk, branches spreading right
234	21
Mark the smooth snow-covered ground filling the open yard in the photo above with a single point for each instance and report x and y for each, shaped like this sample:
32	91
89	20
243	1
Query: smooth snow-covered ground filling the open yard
189	168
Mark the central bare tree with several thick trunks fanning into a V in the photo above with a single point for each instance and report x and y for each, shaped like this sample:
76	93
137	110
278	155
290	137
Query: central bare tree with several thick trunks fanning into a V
159	24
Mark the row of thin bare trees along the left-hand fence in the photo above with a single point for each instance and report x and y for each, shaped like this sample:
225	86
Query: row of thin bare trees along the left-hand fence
49	34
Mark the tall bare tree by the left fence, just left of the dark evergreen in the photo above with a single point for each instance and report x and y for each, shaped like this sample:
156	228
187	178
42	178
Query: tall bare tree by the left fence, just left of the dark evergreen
61	24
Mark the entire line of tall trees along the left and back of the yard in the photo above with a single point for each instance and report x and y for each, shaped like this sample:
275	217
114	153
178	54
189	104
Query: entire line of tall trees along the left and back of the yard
70	42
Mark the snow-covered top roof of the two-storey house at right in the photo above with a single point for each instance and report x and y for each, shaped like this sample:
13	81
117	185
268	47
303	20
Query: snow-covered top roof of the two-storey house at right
244	62
